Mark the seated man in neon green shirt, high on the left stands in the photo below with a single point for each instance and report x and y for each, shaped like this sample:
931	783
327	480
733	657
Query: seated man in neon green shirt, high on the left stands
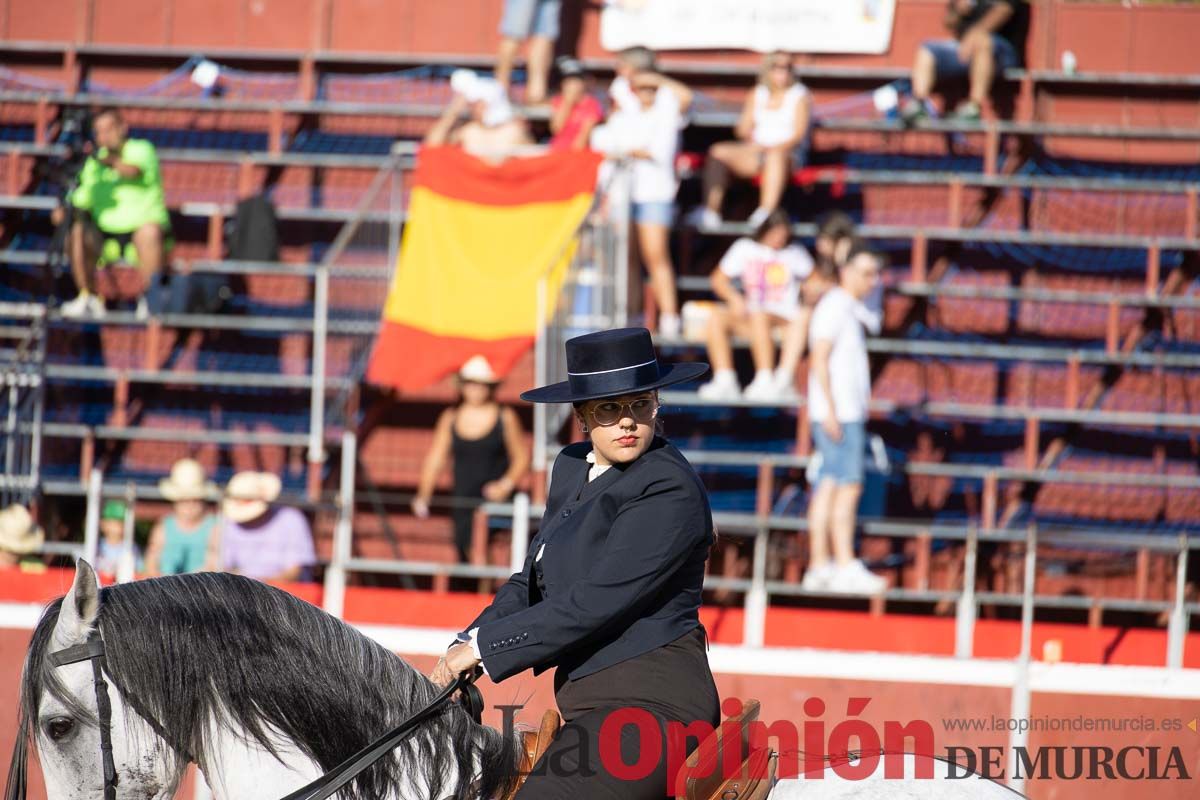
122	215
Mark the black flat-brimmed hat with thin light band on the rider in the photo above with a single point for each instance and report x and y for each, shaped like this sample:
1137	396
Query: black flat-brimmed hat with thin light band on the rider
608	364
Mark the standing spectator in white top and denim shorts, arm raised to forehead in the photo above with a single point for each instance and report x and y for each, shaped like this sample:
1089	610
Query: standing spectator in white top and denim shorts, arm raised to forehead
649	135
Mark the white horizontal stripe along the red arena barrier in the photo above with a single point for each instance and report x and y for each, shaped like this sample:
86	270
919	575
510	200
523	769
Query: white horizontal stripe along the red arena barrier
833	665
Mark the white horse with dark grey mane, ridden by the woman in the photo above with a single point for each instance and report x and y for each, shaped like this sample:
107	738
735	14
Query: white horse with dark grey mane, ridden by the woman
265	694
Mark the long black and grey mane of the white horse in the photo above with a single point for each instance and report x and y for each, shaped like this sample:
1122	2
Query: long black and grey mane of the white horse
195	648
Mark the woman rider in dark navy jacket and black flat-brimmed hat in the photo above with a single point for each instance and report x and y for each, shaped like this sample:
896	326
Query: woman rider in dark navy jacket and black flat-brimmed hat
610	592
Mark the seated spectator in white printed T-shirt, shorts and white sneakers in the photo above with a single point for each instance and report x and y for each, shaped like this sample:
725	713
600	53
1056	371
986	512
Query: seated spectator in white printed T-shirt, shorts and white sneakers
771	270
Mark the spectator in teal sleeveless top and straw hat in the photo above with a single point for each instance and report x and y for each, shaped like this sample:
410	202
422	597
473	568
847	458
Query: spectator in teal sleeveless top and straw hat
179	543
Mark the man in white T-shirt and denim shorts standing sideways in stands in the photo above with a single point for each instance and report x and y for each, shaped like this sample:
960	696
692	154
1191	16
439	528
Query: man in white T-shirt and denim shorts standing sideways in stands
839	396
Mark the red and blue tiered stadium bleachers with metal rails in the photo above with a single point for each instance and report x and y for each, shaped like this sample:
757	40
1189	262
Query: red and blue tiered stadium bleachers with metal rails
1046	272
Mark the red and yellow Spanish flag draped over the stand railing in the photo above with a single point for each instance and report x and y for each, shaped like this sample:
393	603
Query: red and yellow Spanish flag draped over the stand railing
478	240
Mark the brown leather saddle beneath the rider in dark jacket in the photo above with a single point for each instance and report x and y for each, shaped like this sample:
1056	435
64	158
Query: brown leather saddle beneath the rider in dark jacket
753	780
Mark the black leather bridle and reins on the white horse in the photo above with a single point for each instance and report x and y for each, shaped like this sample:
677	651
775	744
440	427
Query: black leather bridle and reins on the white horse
321	789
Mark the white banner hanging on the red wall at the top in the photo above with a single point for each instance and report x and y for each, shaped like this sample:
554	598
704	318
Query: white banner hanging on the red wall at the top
763	26
